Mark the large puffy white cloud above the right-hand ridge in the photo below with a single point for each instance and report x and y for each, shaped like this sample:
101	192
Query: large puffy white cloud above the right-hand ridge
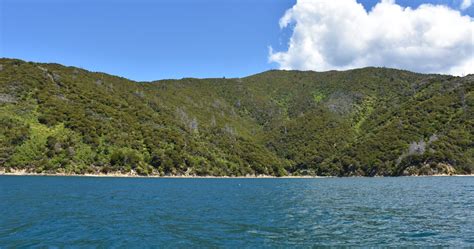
330	34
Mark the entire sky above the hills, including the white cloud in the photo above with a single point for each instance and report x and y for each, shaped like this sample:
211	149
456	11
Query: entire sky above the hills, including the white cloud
148	40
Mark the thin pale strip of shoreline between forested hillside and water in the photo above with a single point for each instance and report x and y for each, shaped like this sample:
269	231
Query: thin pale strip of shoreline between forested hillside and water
122	175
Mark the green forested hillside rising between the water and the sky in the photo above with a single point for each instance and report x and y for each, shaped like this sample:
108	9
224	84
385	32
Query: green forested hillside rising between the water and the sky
371	121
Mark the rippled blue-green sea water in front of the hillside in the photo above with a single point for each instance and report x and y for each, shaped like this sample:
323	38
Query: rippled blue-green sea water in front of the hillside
182	213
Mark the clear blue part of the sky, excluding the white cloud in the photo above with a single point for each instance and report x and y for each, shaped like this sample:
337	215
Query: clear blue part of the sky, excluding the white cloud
150	40
